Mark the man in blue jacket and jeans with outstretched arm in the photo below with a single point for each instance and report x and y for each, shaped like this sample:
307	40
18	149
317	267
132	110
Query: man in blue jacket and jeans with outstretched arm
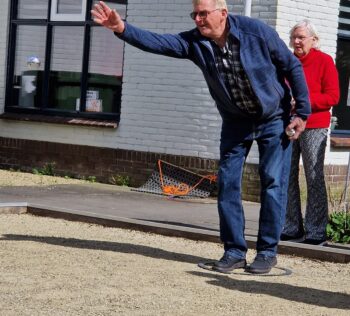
251	74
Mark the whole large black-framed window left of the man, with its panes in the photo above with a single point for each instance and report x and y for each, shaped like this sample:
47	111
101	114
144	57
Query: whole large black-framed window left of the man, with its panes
60	61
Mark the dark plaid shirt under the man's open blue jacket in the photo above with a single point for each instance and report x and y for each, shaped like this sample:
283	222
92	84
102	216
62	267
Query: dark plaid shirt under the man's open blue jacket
229	65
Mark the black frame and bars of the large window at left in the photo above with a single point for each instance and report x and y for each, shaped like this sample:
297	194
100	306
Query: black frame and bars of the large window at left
44	108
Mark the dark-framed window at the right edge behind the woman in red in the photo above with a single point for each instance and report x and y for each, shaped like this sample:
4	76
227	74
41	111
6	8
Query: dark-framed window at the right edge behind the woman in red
342	110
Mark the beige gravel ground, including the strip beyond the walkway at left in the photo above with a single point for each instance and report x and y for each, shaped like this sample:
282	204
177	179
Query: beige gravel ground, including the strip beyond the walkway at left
56	267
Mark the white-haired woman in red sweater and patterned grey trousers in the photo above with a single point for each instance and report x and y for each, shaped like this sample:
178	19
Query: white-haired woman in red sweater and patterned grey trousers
322	80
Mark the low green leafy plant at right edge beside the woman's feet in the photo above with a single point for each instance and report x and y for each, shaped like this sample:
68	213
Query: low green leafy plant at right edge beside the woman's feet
338	227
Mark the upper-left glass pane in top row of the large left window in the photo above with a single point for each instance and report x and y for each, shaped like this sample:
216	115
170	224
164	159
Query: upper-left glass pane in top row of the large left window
32	9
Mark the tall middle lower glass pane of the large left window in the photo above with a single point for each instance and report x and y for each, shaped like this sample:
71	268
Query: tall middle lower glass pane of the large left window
66	65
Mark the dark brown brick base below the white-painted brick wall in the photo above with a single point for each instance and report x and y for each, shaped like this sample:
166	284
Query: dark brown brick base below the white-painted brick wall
85	161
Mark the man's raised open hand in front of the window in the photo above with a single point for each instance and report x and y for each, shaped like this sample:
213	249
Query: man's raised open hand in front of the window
104	15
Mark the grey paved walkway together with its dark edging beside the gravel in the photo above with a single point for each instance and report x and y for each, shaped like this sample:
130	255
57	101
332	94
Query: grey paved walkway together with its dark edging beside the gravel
119	206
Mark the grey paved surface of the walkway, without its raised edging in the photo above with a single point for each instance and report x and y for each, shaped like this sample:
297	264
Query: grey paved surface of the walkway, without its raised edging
108	200
